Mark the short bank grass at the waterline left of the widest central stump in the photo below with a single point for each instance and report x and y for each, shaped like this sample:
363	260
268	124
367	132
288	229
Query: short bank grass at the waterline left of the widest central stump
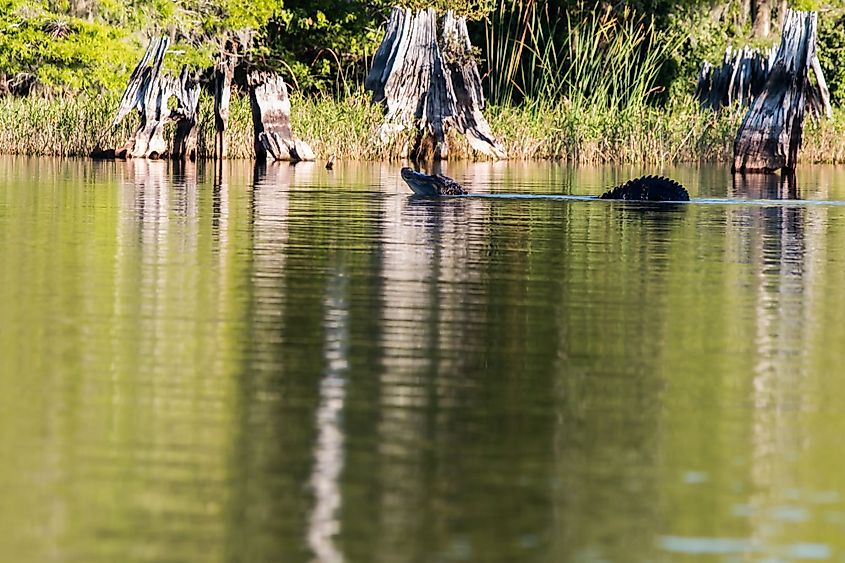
74	126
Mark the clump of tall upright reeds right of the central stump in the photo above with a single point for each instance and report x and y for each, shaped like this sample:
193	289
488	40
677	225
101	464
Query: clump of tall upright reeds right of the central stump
539	55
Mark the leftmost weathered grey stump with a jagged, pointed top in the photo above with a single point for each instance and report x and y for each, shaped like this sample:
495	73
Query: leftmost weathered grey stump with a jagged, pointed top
148	91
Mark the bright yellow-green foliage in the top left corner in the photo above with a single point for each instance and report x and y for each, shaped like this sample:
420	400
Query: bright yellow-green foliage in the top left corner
45	46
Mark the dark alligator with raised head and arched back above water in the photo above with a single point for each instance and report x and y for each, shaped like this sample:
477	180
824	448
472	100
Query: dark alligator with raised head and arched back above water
646	188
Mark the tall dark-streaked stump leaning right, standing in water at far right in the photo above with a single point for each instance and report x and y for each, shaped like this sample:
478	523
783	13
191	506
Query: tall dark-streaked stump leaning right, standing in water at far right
770	134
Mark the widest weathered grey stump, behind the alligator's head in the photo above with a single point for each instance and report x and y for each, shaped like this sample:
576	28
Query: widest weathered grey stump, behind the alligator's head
428	79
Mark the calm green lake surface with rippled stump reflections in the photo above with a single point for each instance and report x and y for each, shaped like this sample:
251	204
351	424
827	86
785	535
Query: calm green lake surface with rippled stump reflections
289	364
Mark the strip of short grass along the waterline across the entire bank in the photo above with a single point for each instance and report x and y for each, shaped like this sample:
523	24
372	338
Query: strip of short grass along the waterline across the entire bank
678	133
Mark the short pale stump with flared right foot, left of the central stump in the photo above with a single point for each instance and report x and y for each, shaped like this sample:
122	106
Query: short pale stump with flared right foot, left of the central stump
270	104
